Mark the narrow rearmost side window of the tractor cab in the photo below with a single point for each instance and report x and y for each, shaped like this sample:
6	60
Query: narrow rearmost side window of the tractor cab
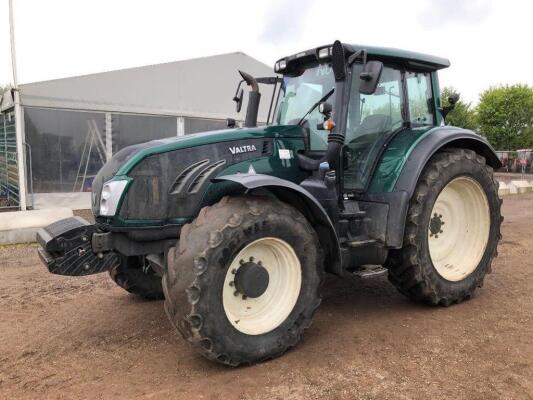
420	98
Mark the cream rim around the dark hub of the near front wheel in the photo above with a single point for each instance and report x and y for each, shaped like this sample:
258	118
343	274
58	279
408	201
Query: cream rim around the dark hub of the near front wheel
255	316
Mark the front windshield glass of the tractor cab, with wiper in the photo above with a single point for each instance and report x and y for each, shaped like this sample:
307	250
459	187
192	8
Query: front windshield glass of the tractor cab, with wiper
299	93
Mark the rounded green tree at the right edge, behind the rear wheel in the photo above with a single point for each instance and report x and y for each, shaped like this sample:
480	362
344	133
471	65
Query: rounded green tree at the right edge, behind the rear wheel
505	116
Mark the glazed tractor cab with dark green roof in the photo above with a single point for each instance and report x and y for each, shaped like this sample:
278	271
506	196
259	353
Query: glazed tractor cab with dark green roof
375	94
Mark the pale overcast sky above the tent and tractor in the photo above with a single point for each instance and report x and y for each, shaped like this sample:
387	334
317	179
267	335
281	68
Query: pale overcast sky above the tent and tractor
487	41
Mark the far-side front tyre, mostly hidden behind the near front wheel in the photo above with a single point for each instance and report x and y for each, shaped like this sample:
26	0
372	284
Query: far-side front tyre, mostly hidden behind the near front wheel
130	276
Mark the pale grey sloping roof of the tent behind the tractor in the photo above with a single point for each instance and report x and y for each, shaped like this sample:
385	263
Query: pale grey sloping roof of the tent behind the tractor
201	87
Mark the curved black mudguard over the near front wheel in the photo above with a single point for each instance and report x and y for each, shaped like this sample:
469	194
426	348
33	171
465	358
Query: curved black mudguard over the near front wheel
302	200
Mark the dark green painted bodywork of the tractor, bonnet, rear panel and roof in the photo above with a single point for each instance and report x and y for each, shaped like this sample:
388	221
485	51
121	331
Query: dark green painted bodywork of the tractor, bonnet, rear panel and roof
291	137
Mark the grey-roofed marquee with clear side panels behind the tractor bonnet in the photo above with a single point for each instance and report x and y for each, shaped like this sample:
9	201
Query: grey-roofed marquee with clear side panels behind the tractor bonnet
68	128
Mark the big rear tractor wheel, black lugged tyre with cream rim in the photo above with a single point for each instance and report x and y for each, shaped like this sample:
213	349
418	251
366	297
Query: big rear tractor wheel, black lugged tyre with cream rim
452	230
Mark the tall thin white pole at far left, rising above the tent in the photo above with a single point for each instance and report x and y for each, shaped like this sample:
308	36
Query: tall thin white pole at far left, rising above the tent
18	116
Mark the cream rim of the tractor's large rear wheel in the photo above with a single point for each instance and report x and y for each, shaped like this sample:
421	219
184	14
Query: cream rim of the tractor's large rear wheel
458	246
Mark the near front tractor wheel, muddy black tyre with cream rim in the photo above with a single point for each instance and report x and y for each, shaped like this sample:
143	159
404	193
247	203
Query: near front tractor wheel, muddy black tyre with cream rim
243	283
